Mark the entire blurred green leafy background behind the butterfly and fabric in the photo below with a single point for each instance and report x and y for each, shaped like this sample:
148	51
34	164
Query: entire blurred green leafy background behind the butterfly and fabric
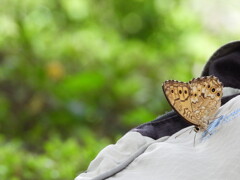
76	75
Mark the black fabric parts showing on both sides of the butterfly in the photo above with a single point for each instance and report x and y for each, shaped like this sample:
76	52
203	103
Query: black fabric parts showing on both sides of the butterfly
224	64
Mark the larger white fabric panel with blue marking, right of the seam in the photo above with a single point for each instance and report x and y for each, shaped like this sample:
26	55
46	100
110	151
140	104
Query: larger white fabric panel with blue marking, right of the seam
214	156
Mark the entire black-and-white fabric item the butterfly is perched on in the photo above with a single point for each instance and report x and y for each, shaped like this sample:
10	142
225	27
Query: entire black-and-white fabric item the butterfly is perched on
147	151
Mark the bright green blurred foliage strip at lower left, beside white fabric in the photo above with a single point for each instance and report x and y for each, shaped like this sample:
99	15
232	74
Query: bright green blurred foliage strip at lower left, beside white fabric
59	159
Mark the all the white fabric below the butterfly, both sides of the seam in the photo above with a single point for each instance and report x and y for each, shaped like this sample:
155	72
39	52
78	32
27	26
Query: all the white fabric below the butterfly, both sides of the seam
215	156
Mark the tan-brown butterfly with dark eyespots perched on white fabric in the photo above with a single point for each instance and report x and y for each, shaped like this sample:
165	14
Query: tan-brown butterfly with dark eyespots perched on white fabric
196	101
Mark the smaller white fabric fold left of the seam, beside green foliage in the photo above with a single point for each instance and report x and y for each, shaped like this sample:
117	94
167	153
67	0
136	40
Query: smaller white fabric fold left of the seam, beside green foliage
114	158
